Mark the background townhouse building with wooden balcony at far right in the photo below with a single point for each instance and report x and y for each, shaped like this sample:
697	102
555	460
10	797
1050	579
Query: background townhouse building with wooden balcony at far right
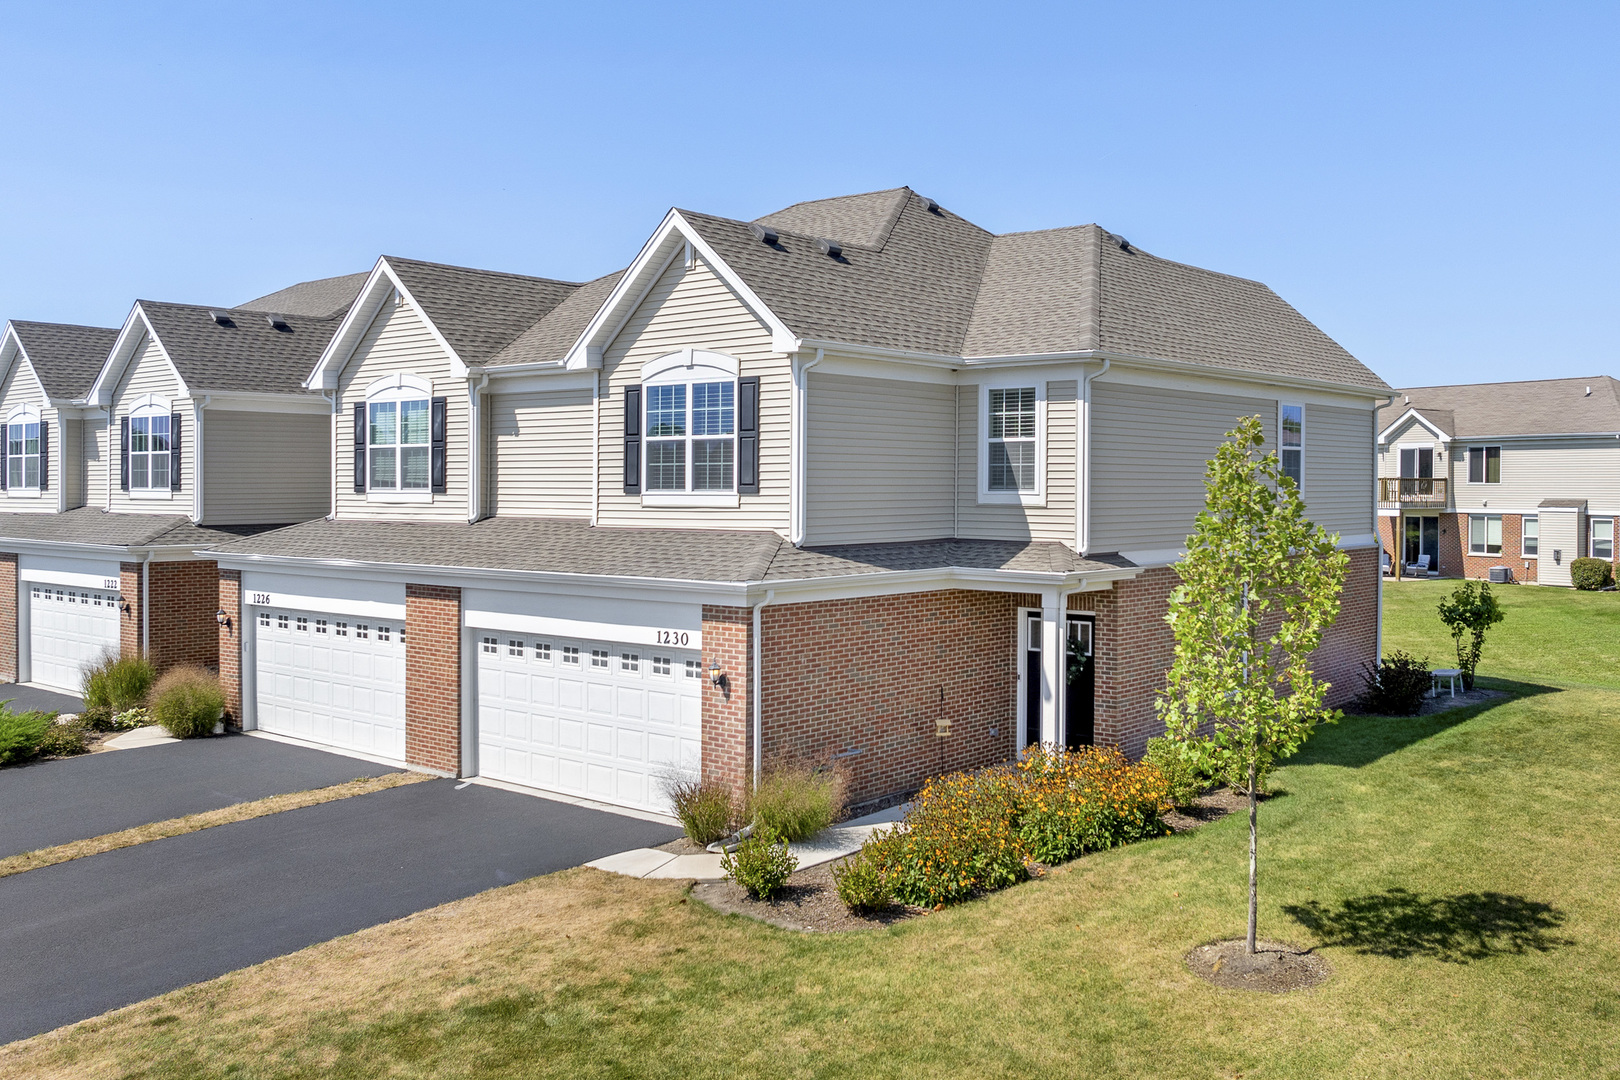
1514	477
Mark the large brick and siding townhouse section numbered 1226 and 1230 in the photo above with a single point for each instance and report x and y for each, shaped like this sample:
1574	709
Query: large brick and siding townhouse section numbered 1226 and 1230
859	482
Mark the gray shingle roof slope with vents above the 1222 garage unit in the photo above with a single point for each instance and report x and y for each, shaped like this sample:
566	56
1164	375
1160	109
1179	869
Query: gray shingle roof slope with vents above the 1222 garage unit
250	355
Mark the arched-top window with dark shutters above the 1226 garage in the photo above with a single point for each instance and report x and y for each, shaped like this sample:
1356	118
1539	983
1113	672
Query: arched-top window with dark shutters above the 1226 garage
399	440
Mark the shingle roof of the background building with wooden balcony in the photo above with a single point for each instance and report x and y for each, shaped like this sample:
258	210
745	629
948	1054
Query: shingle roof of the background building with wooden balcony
1541	407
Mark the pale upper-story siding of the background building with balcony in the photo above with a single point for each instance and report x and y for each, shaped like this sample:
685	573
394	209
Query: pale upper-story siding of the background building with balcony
1553	469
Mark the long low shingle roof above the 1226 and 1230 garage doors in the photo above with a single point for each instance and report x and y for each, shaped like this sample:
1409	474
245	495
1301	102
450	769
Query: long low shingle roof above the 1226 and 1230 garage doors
571	546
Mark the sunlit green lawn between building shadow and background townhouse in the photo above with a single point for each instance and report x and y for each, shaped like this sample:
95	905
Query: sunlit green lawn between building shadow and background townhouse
1551	636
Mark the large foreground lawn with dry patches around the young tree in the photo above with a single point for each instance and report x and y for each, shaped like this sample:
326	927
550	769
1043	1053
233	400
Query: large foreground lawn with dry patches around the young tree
1460	872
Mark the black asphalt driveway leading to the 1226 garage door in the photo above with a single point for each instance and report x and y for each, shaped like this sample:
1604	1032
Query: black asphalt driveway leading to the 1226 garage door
74	799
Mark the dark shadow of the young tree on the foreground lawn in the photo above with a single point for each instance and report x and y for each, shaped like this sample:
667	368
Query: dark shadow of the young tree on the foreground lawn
1457	929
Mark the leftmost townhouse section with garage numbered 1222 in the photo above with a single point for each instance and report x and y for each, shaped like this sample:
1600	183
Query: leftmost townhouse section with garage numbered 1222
130	449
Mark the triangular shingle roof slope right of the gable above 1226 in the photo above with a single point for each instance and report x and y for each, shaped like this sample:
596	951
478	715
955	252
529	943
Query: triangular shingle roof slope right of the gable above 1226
480	312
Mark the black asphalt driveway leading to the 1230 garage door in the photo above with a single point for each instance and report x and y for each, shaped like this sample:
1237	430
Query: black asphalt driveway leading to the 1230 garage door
87	937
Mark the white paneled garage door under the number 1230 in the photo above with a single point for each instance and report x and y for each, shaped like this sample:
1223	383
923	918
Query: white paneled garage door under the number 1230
587	718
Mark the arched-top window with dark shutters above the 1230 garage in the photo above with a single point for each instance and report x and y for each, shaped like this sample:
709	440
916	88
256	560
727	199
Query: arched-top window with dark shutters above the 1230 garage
693	432
